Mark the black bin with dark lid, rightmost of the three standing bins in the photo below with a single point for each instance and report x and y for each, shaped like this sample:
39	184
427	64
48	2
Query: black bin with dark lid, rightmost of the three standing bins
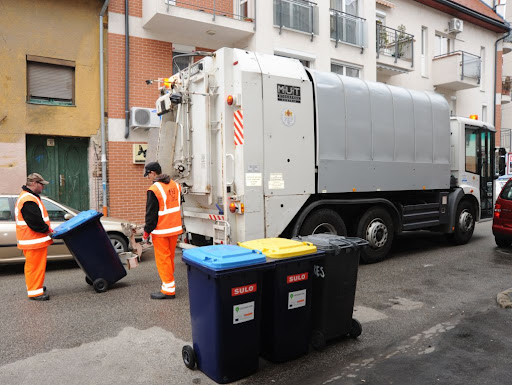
334	287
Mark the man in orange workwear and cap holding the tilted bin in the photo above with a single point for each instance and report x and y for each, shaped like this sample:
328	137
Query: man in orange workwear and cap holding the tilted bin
33	234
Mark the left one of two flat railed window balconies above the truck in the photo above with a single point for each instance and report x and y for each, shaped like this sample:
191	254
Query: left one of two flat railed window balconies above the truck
296	15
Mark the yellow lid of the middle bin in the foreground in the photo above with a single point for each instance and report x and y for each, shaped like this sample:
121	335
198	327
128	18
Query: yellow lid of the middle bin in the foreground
279	247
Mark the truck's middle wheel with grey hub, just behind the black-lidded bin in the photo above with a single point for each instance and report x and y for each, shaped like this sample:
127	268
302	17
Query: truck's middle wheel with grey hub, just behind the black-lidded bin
376	226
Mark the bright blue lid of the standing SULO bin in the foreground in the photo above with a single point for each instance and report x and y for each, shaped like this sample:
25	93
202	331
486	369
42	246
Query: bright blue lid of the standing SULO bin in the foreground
221	257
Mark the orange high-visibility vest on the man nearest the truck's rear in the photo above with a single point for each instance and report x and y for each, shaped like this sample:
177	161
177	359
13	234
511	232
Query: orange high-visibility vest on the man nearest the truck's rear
169	206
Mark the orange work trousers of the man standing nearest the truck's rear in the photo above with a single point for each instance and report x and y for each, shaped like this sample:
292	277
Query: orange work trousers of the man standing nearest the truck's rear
165	248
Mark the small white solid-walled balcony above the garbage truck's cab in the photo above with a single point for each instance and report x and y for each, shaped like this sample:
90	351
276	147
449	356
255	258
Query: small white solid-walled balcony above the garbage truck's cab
456	71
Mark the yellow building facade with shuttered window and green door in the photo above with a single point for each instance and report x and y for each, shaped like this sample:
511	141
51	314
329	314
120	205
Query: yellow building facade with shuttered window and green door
49	94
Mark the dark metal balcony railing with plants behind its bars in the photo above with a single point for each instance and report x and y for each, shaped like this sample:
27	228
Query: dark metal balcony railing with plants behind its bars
395	43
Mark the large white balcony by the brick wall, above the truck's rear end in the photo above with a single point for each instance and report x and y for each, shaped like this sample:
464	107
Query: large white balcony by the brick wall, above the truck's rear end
212	24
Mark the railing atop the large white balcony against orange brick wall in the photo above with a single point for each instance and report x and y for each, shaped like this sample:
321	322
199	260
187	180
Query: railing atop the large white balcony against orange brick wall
215	8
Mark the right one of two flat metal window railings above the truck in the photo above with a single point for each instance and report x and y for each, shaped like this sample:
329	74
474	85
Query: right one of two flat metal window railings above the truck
347	28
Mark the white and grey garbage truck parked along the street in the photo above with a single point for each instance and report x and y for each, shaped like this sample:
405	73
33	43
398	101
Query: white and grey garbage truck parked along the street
265	147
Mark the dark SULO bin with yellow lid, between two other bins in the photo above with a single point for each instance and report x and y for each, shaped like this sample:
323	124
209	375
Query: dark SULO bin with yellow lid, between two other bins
287	297
